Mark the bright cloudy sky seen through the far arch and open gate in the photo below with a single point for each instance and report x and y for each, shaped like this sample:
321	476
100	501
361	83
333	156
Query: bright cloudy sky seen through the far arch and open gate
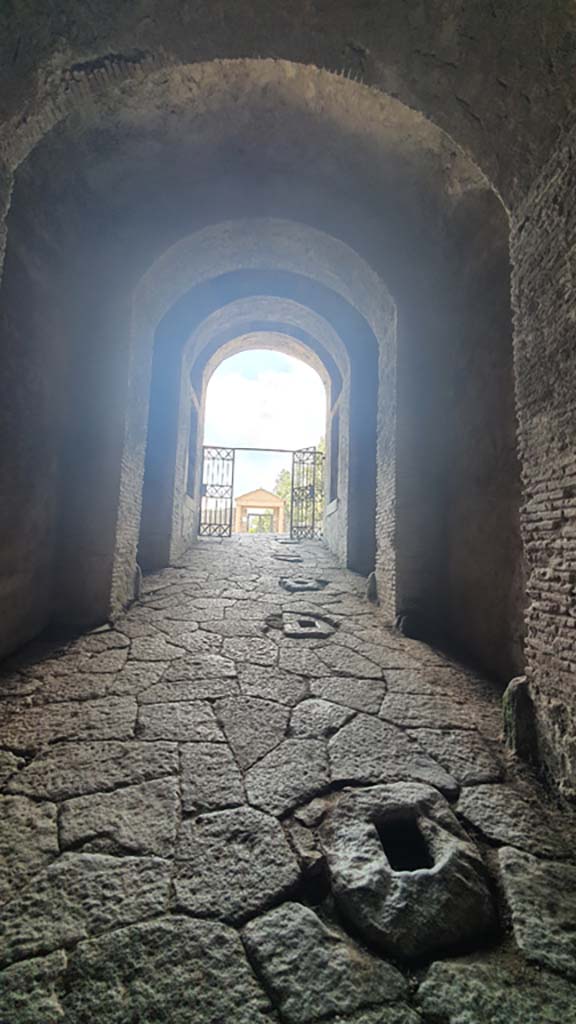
266	400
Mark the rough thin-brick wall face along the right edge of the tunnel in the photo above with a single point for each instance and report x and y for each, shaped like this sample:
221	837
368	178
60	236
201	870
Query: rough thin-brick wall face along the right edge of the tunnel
544	247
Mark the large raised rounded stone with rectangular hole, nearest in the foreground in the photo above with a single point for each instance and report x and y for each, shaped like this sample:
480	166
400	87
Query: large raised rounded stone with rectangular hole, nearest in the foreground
404	873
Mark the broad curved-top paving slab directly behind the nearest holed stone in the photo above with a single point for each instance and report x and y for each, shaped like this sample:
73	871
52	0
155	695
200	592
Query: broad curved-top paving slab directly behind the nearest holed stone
369	750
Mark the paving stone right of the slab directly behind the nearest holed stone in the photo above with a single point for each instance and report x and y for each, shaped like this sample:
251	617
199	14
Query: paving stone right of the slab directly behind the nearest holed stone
465	754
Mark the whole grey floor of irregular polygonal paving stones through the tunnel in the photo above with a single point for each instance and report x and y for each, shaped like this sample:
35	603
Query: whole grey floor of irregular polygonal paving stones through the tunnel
185	833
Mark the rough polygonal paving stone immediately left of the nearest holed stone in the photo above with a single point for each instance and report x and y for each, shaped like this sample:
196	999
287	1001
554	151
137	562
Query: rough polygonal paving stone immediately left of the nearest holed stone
232	864
